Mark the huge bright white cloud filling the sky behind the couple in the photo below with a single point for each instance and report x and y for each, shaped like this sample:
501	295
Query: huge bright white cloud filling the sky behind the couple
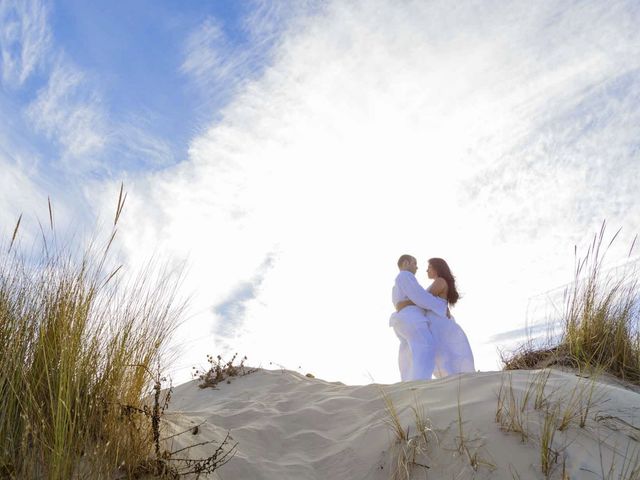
377	130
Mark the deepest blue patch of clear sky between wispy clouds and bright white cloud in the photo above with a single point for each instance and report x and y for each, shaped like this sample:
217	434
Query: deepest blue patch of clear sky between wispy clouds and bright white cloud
129	46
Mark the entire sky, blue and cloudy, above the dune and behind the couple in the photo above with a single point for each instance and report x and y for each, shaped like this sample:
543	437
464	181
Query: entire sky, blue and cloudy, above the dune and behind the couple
288	152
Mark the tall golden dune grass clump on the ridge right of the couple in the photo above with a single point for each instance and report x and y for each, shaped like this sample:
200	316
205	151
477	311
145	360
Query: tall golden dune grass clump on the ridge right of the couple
601	322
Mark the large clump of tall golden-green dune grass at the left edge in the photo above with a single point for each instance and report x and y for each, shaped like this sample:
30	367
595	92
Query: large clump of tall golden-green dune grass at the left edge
77	343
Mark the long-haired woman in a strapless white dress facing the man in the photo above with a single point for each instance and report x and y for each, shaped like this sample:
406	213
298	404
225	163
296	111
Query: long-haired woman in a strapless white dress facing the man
453	353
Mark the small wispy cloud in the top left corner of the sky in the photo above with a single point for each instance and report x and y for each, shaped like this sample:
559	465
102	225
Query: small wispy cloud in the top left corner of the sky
25	39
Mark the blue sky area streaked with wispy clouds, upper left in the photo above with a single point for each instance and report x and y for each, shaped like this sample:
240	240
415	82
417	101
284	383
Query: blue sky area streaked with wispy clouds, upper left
122	65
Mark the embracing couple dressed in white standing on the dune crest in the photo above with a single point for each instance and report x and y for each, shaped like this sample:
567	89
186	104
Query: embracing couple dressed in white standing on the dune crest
431	342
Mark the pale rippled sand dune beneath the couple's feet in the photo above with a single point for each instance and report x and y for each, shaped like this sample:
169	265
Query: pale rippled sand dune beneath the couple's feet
289	426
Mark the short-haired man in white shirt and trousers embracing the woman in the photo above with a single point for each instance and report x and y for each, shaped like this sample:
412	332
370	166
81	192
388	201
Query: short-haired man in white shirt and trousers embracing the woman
416	357
